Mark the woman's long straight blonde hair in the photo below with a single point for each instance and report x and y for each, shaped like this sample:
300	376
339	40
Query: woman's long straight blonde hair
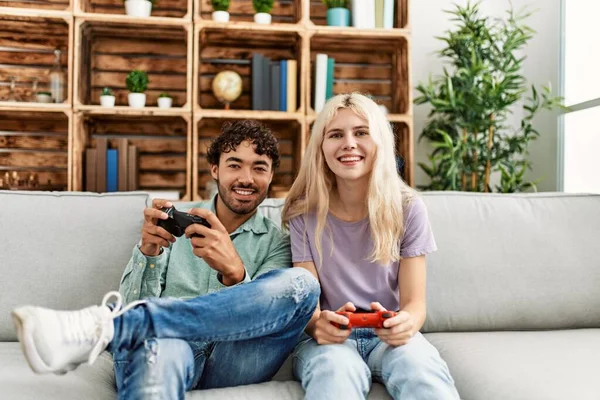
387	192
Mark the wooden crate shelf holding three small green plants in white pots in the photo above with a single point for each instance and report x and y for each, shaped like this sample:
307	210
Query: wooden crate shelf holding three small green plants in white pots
109	51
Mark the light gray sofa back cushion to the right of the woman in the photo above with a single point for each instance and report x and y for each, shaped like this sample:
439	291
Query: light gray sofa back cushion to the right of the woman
516	262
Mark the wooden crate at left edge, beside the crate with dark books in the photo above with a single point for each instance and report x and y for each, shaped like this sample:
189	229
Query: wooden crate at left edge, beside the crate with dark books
35	144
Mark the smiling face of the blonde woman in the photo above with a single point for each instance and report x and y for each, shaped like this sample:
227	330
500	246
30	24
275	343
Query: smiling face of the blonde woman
348	147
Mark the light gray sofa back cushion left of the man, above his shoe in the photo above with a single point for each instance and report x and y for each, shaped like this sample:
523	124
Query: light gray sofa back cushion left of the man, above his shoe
63	250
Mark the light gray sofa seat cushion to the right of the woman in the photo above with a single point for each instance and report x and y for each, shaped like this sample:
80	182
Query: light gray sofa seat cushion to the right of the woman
549	365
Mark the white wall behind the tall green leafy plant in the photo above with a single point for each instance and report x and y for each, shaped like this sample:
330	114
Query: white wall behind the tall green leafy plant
542	66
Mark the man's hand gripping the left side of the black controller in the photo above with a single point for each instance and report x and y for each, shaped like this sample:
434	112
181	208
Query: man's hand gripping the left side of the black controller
153	236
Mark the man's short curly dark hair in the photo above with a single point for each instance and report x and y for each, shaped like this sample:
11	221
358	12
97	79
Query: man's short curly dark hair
234	133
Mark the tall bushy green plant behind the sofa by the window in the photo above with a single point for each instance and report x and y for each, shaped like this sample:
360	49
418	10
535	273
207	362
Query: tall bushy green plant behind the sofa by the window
480	86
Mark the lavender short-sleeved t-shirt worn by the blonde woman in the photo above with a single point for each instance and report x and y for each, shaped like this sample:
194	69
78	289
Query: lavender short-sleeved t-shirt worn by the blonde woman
346	274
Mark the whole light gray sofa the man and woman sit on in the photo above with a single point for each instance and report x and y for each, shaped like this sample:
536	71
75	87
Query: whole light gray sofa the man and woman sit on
513	291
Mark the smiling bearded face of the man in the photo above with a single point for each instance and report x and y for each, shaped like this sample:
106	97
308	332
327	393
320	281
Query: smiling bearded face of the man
243	178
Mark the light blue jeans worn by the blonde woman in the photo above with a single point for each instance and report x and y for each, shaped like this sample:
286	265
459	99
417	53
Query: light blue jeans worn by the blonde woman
345	371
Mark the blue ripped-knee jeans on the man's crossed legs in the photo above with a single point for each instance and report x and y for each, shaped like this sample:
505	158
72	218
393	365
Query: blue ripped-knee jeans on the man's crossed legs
237	336
